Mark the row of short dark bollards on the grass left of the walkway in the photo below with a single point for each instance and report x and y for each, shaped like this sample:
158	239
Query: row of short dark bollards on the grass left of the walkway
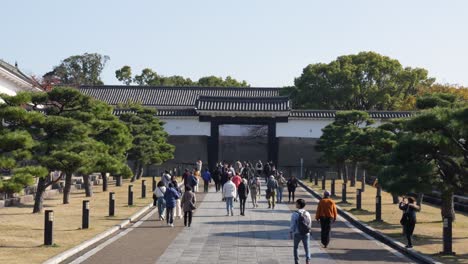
49	214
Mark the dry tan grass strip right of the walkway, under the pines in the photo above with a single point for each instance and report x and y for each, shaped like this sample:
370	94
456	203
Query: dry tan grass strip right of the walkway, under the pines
428	232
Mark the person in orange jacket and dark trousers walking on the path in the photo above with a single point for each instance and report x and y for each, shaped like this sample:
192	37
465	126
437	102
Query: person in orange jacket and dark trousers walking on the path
326	214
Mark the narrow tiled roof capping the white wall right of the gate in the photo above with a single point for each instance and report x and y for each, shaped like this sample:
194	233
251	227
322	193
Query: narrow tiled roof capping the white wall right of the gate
331	114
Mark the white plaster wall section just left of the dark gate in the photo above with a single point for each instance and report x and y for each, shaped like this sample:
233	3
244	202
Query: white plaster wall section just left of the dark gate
187	127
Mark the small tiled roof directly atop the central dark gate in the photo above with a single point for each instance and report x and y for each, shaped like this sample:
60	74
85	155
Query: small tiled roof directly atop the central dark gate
242	104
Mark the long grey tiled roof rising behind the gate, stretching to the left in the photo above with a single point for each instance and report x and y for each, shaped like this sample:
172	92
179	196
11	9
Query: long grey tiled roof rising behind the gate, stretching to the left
169	96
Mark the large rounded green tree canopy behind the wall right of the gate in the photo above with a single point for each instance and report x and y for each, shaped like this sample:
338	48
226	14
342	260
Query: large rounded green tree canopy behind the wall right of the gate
364	81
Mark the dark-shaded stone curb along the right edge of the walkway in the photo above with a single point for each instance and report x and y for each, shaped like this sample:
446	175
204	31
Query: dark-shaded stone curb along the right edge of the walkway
420	258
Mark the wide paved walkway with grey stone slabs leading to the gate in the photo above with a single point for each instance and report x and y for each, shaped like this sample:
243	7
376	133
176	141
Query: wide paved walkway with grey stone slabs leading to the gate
262	236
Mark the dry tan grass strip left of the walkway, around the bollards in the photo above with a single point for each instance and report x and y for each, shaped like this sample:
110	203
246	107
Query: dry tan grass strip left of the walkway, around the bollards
21	232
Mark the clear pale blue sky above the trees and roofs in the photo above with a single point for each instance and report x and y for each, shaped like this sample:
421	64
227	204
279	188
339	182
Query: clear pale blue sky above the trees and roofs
265	42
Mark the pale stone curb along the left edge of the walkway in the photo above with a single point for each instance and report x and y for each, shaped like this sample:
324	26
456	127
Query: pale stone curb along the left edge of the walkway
66	254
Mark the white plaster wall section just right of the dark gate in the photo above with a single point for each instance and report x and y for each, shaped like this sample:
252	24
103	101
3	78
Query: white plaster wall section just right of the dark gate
302	128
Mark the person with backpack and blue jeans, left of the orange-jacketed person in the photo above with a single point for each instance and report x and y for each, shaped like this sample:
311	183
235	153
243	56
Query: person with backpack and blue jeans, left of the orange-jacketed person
299	230
